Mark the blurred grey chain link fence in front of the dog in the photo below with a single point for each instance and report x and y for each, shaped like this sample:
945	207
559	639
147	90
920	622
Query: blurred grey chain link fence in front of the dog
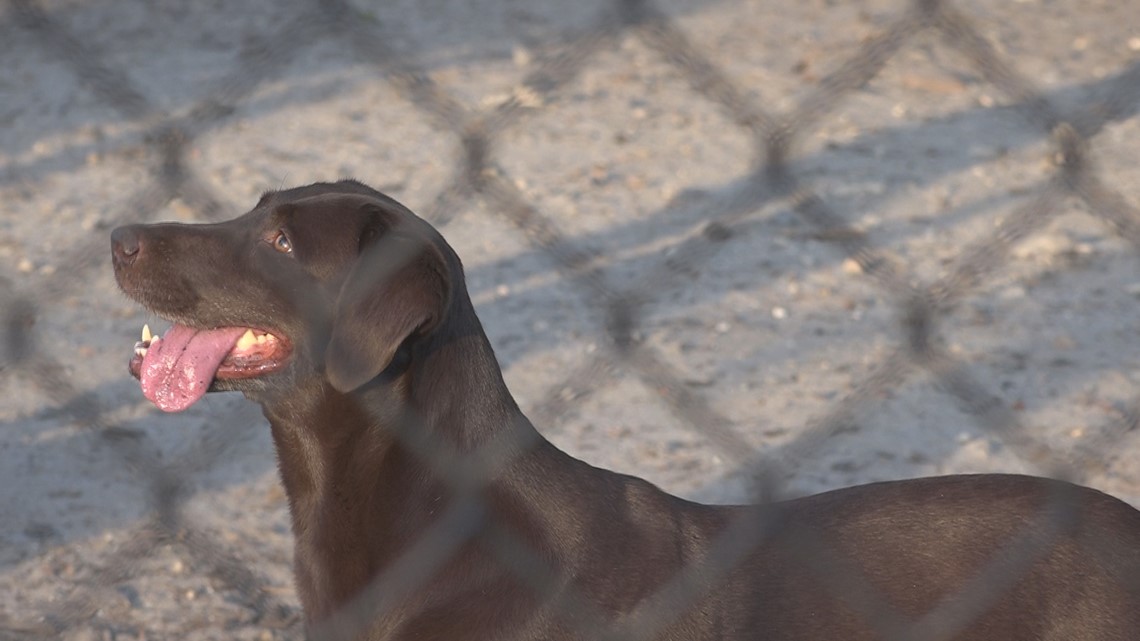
922	305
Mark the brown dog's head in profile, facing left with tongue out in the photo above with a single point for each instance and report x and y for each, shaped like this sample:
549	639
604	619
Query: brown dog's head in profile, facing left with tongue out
330	280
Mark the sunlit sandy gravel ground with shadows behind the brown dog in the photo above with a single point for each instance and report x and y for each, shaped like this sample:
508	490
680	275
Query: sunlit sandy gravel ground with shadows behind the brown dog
772	331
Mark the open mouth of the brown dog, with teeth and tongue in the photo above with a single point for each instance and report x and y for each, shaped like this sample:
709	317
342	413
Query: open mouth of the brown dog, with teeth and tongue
180	368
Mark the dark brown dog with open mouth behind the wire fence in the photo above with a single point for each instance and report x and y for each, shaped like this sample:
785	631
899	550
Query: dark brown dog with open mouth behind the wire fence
426	506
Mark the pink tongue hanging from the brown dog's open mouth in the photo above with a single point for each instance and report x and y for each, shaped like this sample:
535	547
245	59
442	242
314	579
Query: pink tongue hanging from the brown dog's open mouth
178	369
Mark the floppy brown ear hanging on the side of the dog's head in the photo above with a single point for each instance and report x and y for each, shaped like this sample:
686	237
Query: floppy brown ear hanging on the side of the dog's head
398	288
